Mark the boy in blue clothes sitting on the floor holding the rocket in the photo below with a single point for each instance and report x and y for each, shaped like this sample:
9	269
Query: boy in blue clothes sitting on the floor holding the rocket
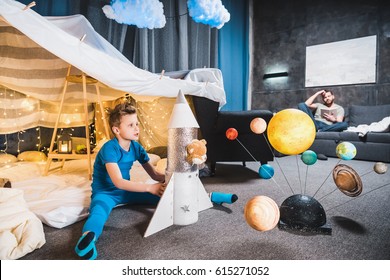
111	185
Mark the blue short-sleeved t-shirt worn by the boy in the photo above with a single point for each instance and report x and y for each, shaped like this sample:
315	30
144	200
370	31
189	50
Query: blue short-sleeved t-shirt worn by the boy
112	152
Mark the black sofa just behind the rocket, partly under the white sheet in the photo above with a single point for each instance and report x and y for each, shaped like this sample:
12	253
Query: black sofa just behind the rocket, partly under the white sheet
213	125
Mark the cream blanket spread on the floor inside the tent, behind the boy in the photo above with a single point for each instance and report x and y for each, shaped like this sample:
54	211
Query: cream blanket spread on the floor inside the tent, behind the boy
63	197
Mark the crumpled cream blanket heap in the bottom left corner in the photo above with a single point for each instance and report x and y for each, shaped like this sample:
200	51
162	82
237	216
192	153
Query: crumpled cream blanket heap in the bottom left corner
21	232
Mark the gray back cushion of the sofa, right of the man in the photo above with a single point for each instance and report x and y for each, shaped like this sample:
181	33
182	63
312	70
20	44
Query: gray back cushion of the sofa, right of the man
367	114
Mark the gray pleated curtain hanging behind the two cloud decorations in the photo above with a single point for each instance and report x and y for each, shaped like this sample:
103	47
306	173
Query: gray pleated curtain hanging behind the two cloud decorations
181	45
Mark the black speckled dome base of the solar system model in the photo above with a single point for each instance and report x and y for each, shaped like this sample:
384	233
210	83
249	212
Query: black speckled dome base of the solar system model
303	213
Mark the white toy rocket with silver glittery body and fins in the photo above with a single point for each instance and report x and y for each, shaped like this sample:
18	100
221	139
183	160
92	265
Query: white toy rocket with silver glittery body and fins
184	196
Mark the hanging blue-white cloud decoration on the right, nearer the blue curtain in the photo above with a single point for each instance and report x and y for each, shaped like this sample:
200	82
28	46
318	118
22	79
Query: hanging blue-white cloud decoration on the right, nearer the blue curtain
210	12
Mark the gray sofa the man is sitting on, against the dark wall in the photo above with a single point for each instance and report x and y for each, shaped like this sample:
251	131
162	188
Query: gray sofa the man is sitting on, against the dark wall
373	146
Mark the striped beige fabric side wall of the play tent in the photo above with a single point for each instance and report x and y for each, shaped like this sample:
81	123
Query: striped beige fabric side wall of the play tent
31	85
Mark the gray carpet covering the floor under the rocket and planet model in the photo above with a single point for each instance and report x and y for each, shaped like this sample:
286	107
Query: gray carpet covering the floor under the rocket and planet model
360	226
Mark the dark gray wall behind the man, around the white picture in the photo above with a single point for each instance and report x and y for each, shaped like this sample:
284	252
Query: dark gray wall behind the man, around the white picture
283	29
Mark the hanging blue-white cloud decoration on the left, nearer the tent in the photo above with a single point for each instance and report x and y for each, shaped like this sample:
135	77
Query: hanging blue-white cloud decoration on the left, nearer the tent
145	13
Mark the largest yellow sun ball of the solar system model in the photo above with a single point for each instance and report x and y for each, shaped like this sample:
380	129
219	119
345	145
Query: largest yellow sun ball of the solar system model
291	131
